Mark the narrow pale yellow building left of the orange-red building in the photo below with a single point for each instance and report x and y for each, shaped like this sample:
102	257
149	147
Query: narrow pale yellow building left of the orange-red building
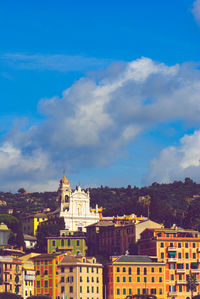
28	274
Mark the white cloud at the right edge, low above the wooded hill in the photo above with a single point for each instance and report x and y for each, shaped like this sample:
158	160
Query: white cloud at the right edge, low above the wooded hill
176	163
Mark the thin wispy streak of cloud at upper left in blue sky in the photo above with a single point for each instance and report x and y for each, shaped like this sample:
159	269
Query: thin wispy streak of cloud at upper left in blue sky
56	62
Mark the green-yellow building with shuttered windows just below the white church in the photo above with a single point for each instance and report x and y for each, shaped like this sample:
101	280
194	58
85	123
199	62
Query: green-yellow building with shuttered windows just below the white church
71	242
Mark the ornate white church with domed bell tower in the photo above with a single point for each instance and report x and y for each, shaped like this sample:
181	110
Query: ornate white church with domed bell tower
75	207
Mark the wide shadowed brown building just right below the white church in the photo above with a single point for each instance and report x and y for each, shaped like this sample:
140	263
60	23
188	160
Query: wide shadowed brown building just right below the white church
116	235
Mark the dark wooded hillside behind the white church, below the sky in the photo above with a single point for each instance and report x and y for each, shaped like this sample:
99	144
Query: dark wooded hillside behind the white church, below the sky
170	203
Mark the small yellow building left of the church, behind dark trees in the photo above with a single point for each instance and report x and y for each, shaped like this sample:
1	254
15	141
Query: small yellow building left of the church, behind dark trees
30	223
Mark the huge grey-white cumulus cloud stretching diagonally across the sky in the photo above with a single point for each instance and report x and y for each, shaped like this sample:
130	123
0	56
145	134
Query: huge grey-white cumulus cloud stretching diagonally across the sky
99	115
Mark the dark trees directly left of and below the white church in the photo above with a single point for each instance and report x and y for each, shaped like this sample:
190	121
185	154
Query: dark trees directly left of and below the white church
46	231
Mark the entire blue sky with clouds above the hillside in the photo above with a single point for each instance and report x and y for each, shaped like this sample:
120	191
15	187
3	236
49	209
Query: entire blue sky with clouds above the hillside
107	91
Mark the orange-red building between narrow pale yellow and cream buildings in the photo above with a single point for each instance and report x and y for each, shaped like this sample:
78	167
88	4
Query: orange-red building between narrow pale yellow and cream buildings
46	271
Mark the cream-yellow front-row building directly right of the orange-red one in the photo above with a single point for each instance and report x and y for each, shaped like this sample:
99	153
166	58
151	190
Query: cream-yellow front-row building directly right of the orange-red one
80	278
